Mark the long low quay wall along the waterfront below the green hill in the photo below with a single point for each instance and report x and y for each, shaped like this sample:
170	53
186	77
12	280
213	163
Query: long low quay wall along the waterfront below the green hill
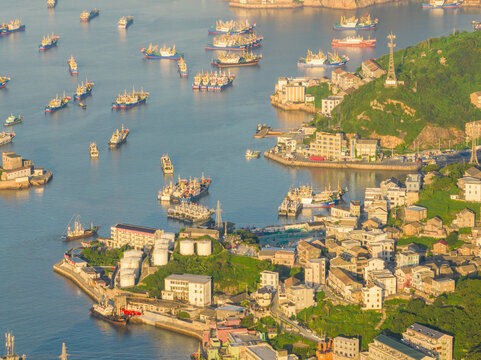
342	165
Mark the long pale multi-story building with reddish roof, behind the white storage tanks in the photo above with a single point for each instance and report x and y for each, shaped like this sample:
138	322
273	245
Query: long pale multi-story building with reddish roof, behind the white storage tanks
136	236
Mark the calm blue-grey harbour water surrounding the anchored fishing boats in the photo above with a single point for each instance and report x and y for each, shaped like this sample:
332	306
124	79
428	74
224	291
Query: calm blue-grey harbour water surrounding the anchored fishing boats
203	132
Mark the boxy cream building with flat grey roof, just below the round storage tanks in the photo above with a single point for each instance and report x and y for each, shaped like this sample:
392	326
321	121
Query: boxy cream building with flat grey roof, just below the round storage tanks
195	289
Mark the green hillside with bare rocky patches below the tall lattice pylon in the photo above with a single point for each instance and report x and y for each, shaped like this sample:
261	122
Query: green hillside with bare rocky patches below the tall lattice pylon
439	75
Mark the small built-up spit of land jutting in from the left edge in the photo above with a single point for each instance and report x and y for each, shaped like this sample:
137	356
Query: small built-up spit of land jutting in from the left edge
18	173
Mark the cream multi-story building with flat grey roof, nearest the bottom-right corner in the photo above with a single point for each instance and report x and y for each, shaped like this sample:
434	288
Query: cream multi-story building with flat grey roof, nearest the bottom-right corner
431	342
